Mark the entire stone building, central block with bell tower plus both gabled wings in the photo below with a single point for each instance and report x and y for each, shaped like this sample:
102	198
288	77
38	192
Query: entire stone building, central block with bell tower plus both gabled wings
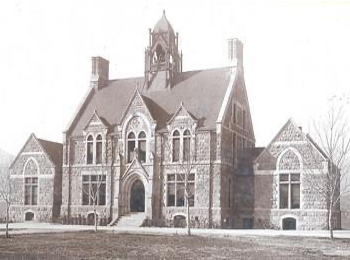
131	141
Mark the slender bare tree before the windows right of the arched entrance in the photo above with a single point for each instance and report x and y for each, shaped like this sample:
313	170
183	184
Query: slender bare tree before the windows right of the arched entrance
182	170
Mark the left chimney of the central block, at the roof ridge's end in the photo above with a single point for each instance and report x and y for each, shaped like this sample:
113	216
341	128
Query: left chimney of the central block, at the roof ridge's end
99	73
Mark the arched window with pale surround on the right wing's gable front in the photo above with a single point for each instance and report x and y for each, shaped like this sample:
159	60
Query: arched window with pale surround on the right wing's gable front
289	181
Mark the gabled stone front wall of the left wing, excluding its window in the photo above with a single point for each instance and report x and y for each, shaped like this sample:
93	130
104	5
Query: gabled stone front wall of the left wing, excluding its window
33	162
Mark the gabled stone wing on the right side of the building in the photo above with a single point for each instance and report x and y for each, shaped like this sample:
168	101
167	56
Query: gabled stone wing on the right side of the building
284	174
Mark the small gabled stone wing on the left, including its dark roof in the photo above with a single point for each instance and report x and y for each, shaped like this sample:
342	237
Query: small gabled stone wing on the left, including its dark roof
37	176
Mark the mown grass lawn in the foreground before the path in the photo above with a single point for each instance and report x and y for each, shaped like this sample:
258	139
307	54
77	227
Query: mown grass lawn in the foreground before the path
105	245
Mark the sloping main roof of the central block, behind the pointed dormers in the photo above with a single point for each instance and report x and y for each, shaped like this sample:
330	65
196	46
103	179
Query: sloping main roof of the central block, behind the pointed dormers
202	93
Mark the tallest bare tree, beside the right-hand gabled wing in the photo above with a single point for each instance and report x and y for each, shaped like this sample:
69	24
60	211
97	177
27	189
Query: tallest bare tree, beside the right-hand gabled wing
333	135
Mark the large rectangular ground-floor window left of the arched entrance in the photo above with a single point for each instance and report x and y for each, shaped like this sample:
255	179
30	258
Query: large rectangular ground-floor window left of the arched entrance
94	189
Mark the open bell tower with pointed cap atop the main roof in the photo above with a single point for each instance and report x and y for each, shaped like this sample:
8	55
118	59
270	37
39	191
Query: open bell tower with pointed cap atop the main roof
162	58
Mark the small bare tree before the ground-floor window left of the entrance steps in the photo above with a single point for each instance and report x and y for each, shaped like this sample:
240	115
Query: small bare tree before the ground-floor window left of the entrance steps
93	188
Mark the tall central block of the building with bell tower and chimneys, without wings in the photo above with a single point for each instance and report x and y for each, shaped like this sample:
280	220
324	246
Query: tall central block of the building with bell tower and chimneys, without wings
130	136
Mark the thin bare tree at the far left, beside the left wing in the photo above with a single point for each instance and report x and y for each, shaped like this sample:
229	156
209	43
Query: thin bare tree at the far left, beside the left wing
7	193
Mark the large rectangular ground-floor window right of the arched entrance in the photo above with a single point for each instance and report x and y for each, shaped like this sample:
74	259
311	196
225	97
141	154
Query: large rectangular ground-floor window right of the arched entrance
176	189
